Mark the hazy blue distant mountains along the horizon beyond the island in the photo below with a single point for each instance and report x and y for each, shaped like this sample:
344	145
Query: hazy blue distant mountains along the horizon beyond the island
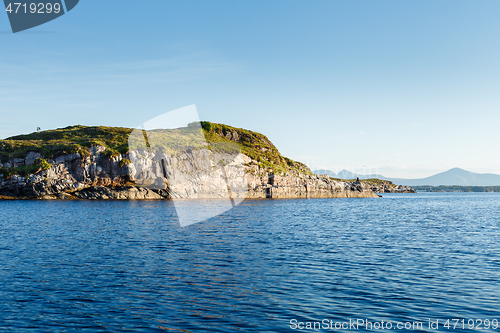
455	176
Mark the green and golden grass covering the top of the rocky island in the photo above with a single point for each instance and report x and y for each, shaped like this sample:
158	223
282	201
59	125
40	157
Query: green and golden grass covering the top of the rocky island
78	139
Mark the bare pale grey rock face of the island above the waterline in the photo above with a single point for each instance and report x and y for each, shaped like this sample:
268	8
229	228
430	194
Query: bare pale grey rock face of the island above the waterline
154	176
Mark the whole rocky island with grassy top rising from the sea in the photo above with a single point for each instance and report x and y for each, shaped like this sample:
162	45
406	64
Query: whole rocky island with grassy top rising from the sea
96	163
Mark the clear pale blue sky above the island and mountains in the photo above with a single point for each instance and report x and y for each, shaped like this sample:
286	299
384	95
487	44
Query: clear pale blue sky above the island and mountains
401	88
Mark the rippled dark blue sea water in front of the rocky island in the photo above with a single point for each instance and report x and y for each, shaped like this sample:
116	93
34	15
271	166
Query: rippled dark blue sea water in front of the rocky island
264	266
